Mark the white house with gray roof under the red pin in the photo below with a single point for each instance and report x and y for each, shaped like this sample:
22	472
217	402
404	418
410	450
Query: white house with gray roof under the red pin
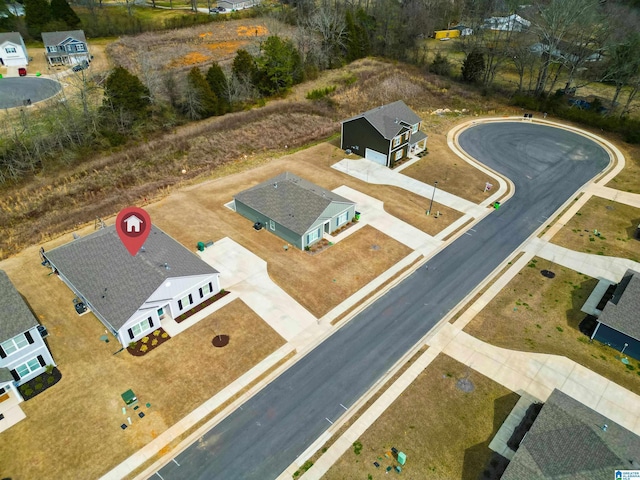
133	295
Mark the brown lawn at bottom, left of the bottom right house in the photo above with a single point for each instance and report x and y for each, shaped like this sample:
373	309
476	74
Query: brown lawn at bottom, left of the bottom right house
442	439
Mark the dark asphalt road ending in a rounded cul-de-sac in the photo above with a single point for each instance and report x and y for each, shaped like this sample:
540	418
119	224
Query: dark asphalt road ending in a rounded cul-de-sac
263	437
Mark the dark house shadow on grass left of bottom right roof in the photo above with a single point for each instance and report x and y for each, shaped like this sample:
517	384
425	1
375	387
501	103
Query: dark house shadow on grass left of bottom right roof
479	458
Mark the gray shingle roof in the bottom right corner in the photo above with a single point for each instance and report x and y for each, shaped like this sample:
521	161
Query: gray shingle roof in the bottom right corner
567	442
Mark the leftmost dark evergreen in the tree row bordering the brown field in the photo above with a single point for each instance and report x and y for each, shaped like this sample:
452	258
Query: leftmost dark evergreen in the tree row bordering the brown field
124	92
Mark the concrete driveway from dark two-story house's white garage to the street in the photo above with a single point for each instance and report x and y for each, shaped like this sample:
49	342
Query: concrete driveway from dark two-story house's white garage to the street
372	172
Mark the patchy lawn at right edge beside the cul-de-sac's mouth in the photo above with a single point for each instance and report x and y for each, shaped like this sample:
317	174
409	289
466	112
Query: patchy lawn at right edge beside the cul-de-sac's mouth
616	223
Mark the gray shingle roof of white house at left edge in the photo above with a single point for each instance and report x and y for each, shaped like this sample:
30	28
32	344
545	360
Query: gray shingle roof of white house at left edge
15	315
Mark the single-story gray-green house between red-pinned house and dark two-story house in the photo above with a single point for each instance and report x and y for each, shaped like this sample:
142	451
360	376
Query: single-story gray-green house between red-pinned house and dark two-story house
294	209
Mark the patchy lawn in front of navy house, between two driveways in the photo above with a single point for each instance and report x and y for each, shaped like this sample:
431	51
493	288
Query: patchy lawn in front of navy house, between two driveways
537	314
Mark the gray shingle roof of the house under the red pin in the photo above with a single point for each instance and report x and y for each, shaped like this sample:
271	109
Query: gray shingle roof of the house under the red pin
116	283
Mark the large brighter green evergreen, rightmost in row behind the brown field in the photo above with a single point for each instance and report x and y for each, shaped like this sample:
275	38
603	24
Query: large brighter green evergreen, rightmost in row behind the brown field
279	67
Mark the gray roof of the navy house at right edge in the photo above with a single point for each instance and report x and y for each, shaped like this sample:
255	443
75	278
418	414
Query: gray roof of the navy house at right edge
622	311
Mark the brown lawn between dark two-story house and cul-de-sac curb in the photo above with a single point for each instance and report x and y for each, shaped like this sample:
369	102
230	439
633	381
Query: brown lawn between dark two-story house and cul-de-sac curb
453	174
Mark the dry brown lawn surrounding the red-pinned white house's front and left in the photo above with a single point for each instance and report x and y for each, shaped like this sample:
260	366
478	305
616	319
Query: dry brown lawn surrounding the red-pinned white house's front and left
78	420
